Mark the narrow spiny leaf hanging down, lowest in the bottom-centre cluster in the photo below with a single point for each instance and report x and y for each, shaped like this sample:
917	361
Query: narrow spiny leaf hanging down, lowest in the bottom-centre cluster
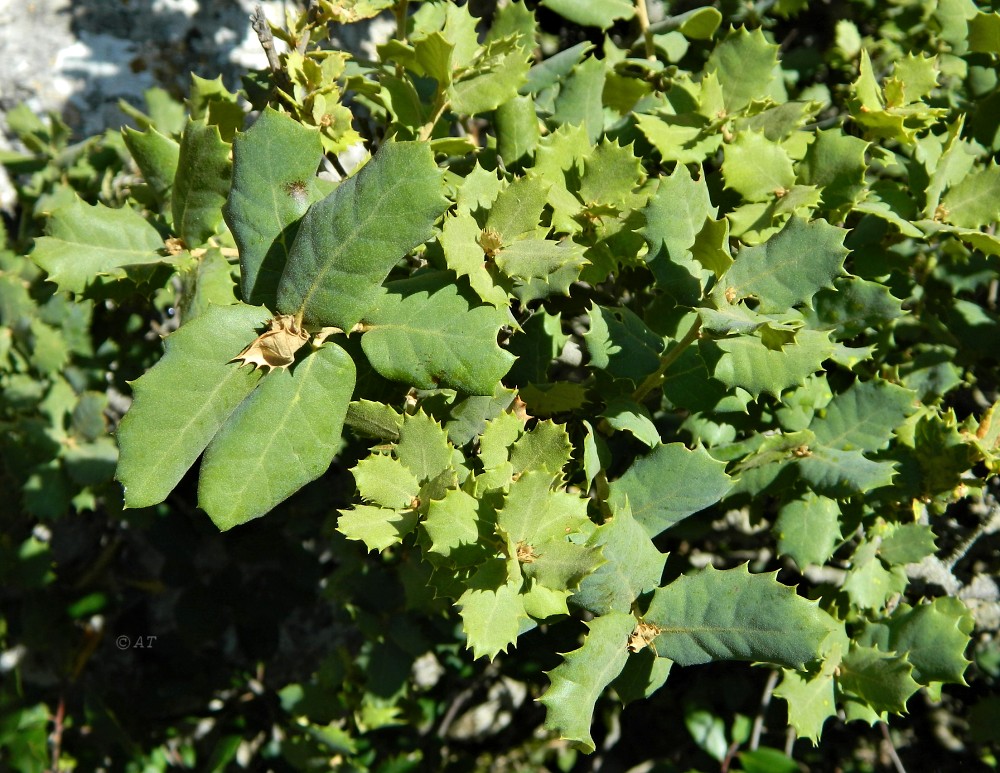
580	679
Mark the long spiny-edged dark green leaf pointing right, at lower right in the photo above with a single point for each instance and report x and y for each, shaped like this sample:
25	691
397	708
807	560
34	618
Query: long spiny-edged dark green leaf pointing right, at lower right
734	615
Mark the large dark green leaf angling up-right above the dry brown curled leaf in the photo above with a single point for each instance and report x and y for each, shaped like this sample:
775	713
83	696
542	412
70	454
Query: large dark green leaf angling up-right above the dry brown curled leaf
348	242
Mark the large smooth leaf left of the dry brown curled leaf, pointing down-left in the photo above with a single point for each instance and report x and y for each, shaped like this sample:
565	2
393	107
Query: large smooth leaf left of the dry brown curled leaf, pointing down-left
158	442
